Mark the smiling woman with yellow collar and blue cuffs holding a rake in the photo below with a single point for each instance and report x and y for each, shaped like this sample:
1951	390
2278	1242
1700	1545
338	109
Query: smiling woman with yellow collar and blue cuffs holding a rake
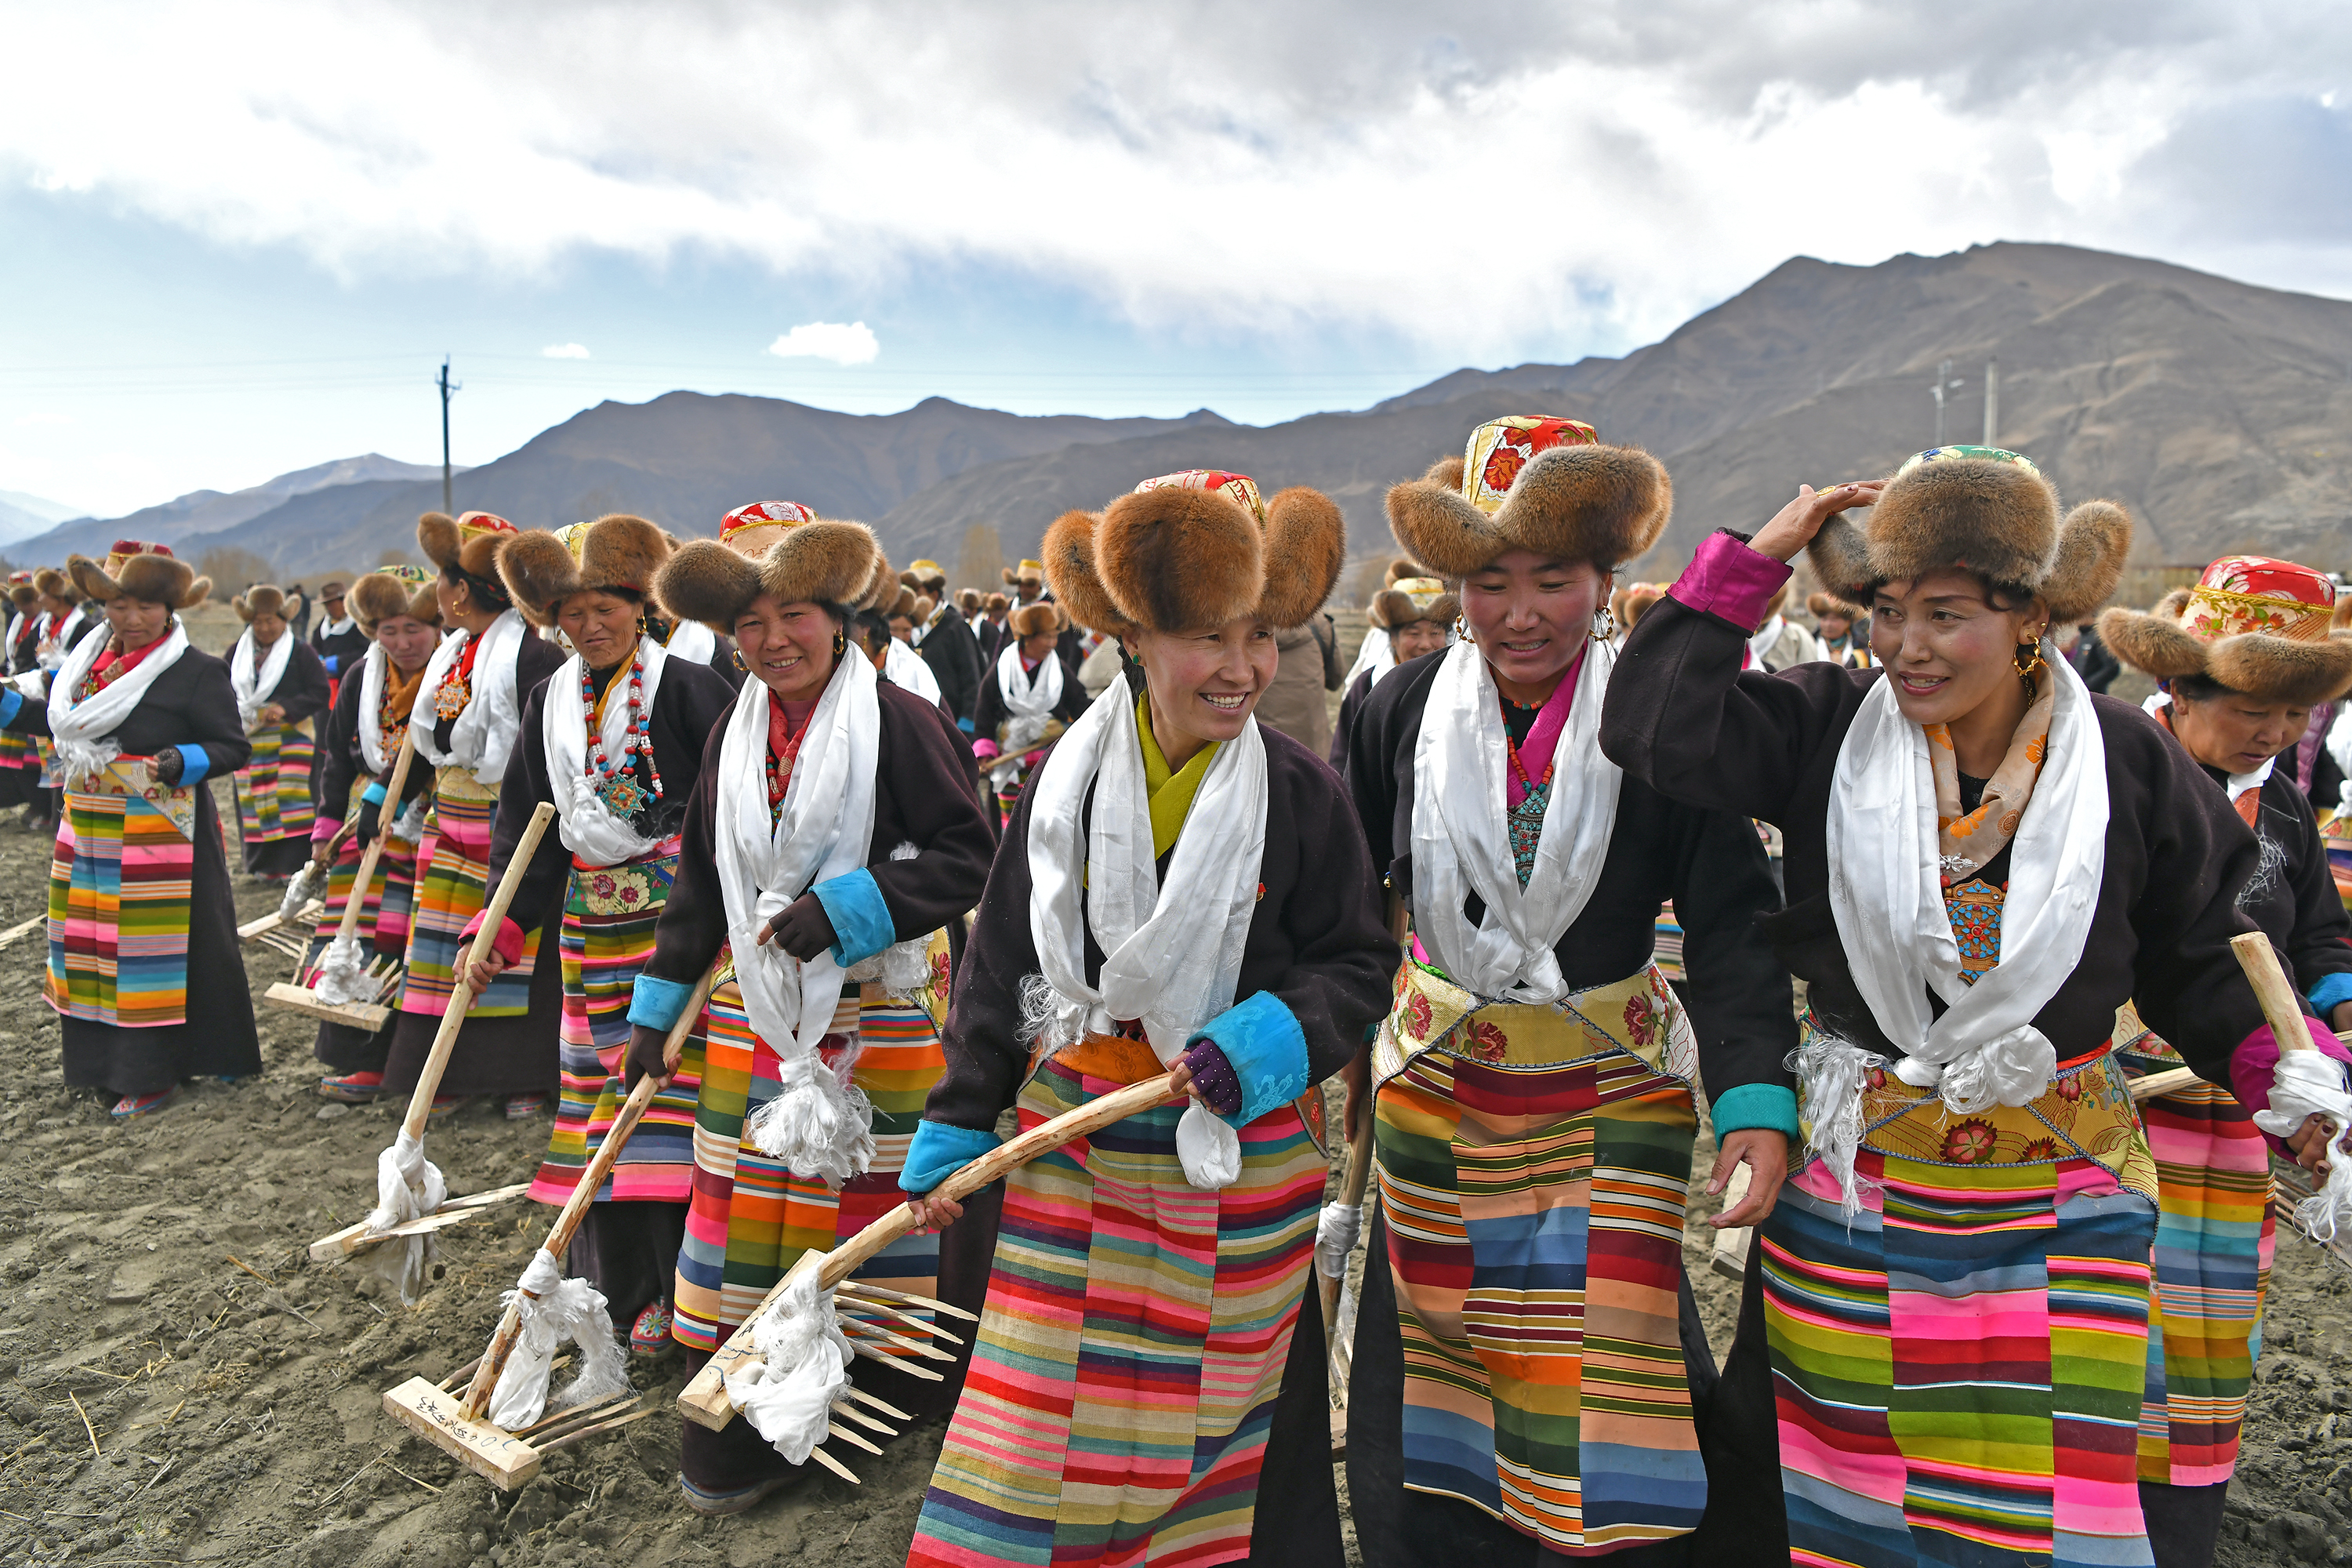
1180	887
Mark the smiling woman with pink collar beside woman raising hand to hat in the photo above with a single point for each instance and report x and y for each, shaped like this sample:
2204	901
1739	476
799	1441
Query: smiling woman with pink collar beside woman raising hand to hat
1530	1372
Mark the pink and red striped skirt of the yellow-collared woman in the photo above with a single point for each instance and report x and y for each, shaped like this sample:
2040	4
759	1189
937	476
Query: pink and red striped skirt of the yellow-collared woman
1132	1351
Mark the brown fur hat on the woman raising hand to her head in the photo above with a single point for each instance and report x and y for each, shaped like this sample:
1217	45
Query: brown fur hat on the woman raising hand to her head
1984	511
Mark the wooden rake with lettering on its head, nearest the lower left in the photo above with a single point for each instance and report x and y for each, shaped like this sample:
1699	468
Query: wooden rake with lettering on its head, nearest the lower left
460	1426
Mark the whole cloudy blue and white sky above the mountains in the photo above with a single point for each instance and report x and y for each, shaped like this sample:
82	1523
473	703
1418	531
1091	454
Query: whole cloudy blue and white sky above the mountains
239	239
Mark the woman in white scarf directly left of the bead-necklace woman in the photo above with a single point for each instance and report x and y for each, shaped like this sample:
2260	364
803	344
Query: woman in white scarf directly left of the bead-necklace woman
474	695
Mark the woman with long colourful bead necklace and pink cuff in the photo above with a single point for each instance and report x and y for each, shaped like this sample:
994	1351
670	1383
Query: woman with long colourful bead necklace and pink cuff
617	742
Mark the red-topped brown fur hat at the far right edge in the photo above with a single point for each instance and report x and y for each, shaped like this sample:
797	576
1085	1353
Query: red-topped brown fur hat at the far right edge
2252	624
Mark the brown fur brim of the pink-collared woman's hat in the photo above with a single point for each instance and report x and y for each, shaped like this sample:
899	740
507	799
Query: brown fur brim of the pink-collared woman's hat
1575	504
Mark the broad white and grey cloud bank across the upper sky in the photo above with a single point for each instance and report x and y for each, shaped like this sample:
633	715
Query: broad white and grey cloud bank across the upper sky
1389	166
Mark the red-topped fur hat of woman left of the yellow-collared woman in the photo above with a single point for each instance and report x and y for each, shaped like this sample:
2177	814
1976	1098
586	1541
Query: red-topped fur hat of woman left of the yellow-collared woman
791	558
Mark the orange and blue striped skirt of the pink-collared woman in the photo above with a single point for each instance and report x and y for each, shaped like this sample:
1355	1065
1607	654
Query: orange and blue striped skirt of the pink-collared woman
1535	1167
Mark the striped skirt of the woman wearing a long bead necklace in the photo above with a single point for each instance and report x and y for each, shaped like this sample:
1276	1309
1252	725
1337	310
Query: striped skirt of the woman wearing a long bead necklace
608	937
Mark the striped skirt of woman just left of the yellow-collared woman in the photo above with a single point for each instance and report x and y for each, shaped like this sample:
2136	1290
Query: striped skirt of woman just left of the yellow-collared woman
751	1219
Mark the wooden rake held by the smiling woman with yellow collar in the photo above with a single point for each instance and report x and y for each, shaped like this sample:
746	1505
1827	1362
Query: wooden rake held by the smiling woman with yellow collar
874	1315
